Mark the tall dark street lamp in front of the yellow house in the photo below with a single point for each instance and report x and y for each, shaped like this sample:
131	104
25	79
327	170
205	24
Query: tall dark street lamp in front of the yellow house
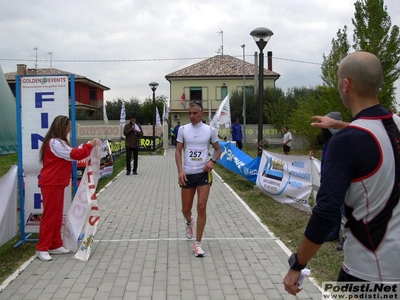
261	35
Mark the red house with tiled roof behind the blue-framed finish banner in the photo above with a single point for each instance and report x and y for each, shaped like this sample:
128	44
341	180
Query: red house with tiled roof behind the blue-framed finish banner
89	94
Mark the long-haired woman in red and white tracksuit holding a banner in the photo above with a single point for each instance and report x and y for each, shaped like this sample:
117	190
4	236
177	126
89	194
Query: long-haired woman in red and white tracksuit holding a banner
56	155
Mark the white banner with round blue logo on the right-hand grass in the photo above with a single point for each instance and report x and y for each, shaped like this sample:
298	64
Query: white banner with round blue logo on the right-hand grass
286	178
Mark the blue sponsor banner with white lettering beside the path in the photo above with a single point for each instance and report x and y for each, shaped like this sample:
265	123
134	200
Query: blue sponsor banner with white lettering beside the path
238	161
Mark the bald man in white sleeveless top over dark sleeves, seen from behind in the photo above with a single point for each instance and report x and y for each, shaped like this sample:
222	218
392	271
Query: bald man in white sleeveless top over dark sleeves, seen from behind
361	170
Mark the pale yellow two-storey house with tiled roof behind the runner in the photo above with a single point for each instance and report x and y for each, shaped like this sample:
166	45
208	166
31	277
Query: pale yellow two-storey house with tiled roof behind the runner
211	80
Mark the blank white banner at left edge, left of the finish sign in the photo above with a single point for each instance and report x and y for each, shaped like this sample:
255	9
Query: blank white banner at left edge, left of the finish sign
8	205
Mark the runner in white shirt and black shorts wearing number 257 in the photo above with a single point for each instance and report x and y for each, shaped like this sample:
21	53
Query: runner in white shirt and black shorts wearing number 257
195	173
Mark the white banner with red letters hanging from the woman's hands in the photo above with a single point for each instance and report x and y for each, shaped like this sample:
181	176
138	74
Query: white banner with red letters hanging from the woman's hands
84	209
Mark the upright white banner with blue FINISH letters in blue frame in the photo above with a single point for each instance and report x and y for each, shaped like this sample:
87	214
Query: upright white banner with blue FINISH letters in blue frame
42	99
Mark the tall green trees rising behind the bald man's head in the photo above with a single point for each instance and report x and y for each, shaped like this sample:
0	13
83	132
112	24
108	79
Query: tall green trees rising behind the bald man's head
373	32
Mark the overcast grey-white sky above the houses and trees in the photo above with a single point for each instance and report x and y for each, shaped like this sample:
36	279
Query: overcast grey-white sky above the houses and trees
126	44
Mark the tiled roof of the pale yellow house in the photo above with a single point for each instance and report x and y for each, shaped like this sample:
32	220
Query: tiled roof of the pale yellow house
219	66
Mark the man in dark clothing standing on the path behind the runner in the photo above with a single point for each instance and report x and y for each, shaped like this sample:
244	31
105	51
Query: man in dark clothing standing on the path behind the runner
133	133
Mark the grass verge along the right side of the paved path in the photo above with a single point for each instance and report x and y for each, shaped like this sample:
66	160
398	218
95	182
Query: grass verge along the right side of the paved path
287	223
